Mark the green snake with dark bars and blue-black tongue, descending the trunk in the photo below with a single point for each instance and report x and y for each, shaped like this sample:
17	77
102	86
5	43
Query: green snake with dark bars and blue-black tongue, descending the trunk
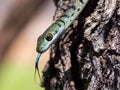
58	28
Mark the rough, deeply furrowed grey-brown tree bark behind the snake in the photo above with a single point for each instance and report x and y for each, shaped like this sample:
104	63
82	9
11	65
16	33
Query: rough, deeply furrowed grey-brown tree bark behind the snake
87	56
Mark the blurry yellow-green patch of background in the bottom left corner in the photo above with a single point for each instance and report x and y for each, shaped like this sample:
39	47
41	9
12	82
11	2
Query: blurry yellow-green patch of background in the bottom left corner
16	77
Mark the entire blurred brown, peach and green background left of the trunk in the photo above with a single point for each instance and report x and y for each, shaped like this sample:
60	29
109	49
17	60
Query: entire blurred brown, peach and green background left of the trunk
21	22
